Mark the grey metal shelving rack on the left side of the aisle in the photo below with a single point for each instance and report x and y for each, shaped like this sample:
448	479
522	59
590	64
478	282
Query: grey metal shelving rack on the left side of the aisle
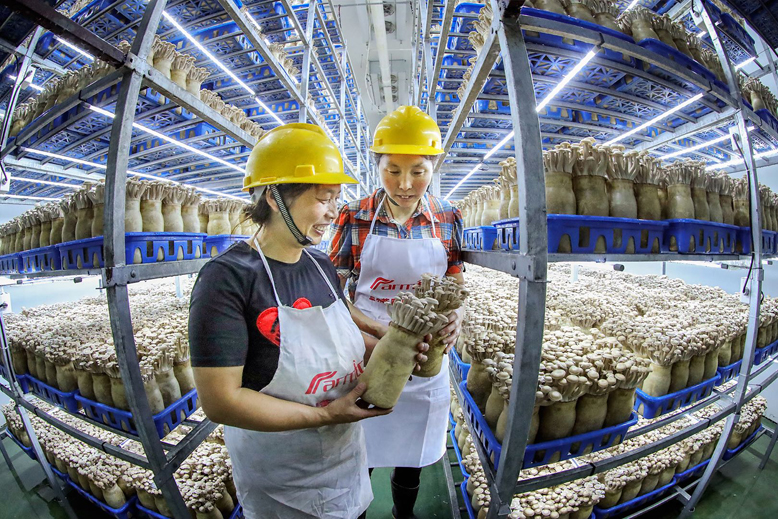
111	147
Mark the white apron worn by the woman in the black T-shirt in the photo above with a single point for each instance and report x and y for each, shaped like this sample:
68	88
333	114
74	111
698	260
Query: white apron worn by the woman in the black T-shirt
322	472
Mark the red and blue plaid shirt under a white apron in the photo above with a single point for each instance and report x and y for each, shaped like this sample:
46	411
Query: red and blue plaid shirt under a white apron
352	226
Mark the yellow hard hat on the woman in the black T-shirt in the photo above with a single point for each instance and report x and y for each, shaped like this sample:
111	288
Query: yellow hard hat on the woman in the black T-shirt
296	153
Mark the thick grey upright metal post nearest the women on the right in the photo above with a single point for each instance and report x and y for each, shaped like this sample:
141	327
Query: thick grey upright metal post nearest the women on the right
532	289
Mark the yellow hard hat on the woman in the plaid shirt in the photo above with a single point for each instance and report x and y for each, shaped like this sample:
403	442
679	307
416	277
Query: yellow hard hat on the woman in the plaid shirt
407	131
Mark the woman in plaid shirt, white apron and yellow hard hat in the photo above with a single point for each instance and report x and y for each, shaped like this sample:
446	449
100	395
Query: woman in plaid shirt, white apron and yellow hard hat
383	244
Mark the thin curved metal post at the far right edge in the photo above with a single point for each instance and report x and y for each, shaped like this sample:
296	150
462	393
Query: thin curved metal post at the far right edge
742	138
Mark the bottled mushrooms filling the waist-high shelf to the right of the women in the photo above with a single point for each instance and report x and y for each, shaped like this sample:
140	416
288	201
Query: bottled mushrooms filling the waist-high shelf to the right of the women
605	335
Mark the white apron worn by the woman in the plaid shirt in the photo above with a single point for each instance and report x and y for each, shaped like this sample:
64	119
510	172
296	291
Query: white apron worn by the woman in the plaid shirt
414	434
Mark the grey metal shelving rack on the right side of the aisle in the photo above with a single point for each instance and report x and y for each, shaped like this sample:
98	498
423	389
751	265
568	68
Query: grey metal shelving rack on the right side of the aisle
472	160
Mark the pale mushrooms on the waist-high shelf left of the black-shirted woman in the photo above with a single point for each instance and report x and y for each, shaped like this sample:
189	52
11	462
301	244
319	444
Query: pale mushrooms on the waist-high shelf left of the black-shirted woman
70	346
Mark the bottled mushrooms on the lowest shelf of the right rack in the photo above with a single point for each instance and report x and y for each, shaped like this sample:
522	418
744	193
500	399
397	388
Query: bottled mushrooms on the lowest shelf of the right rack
619	485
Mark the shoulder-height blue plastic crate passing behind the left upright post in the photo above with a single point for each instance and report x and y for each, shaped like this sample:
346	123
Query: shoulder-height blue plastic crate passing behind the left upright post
139	247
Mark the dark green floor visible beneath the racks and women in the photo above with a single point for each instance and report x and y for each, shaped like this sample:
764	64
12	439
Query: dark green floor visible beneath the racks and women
739	490
